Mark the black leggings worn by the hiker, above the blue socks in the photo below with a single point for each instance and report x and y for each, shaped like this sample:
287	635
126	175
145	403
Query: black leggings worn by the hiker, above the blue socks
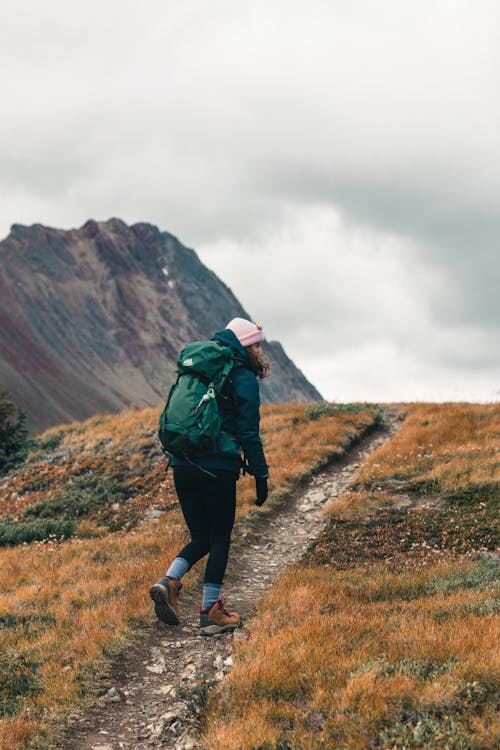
209	505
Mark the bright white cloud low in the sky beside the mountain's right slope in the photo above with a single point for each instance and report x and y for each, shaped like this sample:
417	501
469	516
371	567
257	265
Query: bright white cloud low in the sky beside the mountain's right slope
361	298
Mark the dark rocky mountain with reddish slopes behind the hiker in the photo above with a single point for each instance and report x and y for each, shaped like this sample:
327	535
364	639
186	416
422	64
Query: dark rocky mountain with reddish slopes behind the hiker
91	320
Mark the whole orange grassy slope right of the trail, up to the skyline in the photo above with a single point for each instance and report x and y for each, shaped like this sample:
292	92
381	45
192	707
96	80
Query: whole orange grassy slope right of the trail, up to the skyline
388	636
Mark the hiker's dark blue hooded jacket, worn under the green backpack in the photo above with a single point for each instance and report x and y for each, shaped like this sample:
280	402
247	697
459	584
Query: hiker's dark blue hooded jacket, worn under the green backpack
239	404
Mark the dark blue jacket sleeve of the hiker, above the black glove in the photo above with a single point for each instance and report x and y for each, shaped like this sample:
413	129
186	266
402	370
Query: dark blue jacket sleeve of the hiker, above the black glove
247	399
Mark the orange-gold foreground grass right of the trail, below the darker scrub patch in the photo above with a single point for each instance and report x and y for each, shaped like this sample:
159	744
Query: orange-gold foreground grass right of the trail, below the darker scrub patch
334	660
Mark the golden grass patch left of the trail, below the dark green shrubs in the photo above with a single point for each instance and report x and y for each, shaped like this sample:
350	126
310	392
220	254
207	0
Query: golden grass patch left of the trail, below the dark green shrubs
89	591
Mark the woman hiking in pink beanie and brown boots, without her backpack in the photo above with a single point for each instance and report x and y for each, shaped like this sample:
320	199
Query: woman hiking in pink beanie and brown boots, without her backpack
206	486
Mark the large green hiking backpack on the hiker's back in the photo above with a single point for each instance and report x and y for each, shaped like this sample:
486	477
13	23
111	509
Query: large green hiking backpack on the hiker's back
190	423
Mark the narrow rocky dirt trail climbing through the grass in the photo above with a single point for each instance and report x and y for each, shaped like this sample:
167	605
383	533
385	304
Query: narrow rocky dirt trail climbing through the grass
158	688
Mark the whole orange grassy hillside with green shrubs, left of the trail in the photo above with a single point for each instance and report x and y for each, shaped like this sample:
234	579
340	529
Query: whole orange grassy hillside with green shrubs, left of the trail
78	553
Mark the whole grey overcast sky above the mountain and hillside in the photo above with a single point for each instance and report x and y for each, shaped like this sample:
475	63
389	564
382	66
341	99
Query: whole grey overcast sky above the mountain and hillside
335	162
